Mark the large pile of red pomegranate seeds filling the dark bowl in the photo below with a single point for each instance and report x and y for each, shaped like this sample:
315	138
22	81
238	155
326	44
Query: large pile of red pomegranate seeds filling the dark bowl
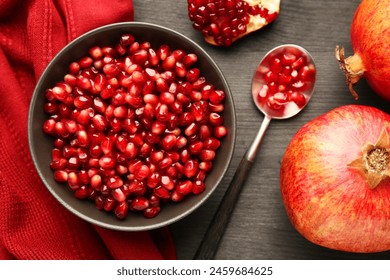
134	127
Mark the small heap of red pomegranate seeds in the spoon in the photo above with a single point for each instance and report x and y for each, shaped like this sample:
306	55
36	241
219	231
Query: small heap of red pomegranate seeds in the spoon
287	77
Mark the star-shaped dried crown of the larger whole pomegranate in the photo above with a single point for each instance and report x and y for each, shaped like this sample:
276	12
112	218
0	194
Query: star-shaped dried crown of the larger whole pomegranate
374	163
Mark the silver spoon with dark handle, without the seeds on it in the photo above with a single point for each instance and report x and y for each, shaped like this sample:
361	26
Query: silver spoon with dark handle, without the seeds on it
216	229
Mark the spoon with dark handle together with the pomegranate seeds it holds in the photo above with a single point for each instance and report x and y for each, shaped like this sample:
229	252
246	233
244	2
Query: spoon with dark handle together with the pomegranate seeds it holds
280	93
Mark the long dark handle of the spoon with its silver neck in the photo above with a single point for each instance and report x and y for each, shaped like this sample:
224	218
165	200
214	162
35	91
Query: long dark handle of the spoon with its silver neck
210	242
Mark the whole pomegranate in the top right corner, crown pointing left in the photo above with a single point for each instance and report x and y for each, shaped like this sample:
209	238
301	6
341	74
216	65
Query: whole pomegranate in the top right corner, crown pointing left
370	36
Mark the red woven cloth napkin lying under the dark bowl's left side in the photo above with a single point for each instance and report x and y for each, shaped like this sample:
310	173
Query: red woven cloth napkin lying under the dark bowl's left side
33	225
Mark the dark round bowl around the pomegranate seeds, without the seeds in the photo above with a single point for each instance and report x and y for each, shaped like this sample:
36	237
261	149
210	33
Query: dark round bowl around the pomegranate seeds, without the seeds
41	144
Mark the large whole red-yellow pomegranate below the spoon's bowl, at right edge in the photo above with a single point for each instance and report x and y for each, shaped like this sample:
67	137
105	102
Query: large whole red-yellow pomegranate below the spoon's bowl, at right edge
334	180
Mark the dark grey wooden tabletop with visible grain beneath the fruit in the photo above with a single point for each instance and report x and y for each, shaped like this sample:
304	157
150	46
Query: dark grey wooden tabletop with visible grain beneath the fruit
259	227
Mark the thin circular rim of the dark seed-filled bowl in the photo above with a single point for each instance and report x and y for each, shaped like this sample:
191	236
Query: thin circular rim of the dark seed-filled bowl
34	98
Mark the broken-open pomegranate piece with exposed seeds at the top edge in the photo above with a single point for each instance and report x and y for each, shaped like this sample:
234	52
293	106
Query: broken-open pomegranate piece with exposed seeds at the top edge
223	22
